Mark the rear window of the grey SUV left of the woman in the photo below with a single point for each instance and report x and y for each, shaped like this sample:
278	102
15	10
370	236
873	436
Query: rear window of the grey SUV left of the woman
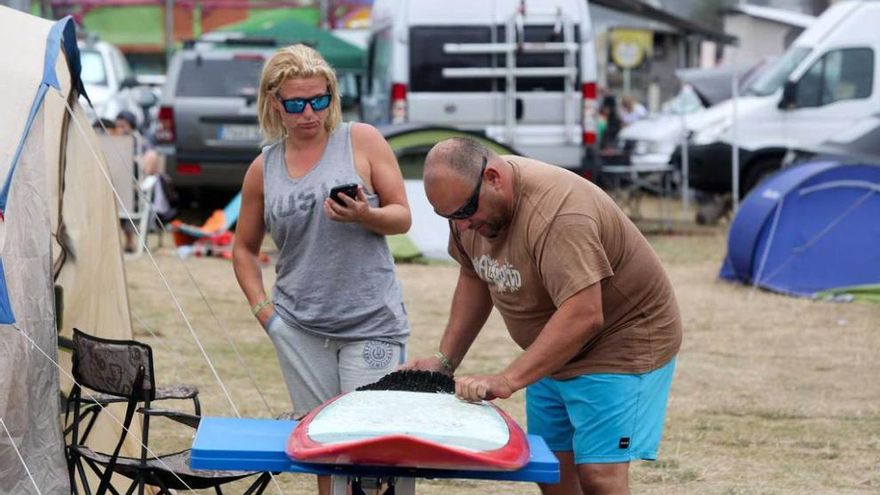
220	77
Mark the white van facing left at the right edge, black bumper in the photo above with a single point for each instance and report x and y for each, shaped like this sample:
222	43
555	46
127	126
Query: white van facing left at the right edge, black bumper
833	83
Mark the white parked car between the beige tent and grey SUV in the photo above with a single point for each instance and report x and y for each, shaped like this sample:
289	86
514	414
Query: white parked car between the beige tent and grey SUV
108	80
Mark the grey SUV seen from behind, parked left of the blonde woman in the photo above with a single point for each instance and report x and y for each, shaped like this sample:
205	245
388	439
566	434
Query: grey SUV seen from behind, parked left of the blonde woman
207	123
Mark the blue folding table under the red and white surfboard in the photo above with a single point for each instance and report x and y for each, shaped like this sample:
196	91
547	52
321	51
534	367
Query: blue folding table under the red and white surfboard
259	445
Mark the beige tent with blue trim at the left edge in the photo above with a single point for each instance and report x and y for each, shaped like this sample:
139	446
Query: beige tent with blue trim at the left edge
60	249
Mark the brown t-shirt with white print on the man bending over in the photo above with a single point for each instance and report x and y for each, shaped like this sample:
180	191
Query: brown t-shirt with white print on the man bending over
565	235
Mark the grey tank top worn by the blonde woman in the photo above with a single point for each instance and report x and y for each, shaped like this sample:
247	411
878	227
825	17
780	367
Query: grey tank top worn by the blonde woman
333	279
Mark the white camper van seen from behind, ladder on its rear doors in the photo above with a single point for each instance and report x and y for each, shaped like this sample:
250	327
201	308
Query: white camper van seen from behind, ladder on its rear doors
520	72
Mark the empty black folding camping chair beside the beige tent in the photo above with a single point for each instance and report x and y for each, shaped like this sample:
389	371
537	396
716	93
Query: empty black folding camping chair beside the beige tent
124	369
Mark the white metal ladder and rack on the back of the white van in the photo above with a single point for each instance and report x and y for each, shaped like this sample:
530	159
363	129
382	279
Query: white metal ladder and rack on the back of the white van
515	44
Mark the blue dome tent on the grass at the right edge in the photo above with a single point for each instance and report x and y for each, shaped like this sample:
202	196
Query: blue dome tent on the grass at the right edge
809	228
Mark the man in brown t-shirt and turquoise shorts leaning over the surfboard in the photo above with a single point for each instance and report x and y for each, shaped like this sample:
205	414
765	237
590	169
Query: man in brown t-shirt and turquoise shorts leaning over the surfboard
579	289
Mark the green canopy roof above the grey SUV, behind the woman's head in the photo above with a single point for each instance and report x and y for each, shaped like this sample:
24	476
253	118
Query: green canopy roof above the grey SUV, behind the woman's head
287	30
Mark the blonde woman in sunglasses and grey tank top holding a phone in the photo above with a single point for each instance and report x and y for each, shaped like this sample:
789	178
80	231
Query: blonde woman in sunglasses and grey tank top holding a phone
336	314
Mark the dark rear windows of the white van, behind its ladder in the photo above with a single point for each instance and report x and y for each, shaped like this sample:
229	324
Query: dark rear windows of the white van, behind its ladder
427	59
